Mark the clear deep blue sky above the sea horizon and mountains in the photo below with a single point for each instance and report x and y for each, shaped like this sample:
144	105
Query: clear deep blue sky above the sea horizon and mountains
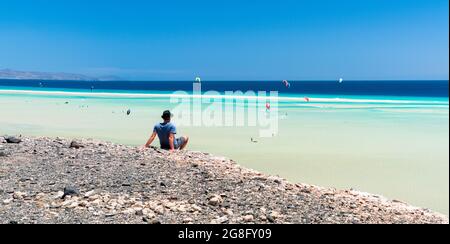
228	40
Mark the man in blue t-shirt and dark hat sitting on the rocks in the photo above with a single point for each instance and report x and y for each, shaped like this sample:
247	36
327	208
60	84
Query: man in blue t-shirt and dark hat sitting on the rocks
166	132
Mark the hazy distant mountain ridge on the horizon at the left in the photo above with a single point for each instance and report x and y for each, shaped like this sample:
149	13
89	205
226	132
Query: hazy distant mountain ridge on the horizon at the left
29	75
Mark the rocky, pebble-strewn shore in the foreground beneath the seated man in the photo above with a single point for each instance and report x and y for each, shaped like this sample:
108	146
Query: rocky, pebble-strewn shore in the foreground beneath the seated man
54	180
